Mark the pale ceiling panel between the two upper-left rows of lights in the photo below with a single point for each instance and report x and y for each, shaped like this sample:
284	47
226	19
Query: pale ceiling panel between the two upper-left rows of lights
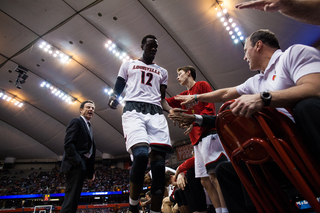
96	56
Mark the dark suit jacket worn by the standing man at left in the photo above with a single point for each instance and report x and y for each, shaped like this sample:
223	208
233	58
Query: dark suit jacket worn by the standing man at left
77	142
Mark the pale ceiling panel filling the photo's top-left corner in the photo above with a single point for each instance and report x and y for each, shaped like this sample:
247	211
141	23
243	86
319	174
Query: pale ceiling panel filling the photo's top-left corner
40	16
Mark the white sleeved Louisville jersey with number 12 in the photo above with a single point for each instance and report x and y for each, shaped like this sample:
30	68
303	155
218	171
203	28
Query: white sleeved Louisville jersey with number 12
143	81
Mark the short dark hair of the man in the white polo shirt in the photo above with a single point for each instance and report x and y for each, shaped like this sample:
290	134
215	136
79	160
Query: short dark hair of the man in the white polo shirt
266	36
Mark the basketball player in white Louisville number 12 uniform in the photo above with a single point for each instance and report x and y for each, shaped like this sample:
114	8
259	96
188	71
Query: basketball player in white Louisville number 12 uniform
145	127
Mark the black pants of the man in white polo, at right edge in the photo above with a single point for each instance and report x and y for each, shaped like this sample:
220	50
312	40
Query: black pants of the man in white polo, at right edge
307	117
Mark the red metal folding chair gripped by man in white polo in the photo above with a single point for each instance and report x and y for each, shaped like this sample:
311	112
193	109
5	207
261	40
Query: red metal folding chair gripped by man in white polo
268	137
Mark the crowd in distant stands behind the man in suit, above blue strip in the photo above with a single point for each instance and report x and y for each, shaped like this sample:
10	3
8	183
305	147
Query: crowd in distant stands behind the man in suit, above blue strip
13	182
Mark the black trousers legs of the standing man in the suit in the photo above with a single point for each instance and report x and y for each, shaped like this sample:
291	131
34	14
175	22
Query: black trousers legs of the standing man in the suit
74	183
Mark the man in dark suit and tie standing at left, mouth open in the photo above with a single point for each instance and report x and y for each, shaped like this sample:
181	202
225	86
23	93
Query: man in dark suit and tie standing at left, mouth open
79	155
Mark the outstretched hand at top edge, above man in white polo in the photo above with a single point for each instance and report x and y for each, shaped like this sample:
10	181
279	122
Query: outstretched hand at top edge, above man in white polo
262	5
